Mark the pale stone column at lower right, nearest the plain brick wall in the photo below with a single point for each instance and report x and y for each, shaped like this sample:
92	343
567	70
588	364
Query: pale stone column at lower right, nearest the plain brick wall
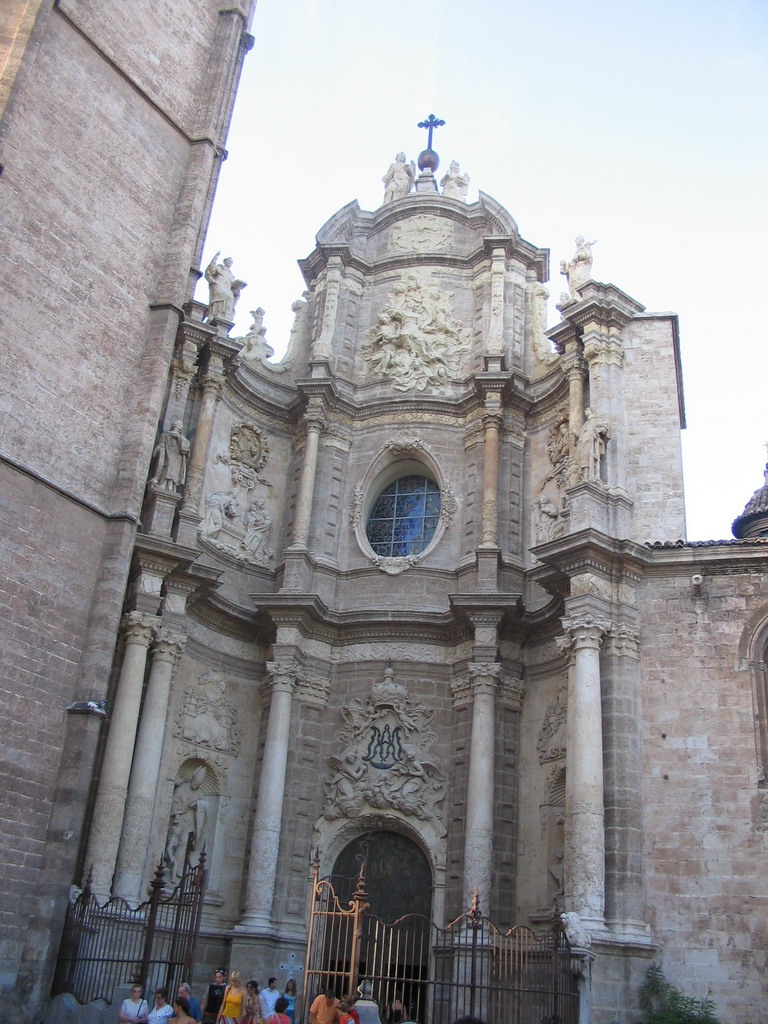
585	834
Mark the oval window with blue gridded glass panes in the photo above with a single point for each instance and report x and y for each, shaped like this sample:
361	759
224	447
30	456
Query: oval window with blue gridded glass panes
404	518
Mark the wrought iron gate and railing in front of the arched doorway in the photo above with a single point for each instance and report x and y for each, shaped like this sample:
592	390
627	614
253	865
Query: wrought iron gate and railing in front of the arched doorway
440	974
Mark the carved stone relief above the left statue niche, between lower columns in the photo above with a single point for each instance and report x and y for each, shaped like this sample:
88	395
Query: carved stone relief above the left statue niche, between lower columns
206	717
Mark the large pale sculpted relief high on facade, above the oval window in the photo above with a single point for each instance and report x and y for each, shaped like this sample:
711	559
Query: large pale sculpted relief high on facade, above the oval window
417	343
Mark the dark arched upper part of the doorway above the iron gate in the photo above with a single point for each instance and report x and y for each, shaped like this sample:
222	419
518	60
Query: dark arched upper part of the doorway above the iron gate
399	877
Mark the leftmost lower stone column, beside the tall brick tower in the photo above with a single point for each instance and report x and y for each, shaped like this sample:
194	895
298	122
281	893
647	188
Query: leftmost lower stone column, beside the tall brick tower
109	809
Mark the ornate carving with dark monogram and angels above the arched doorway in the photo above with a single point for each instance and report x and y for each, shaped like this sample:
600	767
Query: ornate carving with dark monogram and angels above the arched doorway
387	741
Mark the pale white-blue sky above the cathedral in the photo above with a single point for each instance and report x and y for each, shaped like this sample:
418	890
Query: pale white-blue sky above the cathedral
644	125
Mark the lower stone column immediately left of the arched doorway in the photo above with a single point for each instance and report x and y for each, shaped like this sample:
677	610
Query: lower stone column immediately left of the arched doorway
269	818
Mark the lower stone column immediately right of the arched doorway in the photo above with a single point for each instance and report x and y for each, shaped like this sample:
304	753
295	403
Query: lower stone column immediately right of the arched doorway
479	838
